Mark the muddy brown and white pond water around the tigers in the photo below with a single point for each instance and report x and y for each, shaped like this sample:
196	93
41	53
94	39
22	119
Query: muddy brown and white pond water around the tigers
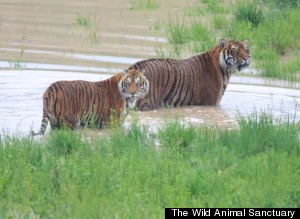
40	43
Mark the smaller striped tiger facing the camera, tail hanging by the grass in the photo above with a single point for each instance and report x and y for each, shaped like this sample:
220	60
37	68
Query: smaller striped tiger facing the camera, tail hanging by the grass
83	103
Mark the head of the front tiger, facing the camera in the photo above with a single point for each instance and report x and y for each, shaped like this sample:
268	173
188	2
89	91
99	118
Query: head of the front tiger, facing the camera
133	85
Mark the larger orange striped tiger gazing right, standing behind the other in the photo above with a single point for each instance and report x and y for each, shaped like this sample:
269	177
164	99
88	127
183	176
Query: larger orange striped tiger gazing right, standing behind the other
199	80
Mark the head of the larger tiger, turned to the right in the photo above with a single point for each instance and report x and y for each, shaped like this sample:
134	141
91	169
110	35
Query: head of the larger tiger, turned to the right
234	55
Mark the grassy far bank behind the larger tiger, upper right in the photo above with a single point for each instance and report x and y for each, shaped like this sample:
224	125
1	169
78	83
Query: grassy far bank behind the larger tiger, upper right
272	28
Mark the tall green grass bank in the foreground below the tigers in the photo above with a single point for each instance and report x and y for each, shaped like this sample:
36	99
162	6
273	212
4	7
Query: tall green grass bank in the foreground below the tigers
136	174
